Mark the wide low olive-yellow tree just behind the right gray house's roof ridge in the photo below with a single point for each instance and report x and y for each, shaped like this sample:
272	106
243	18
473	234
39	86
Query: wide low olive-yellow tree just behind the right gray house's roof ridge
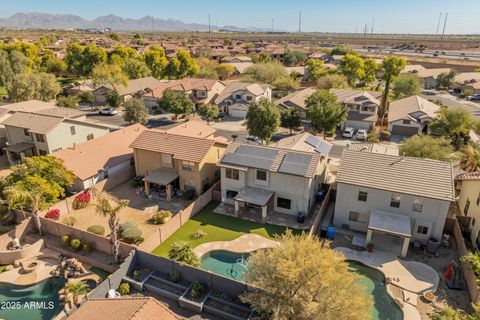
423	146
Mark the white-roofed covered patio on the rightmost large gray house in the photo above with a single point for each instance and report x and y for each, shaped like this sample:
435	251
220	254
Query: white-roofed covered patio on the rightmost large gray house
390	229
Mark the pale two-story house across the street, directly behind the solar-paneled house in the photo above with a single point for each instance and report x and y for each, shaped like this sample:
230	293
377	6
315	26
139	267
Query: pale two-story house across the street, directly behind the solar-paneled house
236	97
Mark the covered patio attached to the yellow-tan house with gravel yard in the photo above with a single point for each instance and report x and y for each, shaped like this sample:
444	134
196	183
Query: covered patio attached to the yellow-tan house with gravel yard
162	178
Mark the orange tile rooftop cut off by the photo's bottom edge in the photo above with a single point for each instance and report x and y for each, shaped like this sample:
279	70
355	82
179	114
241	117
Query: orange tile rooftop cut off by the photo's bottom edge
123	308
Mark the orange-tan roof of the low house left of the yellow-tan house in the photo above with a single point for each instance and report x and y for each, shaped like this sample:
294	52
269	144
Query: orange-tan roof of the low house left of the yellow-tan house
85	159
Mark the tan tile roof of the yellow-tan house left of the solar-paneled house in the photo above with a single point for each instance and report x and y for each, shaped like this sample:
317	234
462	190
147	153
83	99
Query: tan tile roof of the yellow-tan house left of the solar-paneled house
180	146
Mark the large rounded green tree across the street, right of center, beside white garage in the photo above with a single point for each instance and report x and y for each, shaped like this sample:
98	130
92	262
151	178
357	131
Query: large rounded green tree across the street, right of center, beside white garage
324	111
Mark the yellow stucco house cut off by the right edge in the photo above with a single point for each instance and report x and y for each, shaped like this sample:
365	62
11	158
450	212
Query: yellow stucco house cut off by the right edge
468	201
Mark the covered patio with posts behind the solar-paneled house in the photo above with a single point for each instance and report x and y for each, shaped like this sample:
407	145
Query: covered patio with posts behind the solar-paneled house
254	197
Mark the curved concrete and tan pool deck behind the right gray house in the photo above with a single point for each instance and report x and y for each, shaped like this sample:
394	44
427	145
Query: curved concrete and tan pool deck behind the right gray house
413	278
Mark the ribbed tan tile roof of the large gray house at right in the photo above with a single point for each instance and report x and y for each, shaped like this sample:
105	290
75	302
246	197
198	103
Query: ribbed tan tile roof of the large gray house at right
415	176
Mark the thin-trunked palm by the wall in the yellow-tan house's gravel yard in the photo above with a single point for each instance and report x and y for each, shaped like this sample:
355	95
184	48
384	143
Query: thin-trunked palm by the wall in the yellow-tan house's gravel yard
109	206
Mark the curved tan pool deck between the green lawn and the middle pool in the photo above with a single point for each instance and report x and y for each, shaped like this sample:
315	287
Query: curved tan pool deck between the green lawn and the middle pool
242	244
